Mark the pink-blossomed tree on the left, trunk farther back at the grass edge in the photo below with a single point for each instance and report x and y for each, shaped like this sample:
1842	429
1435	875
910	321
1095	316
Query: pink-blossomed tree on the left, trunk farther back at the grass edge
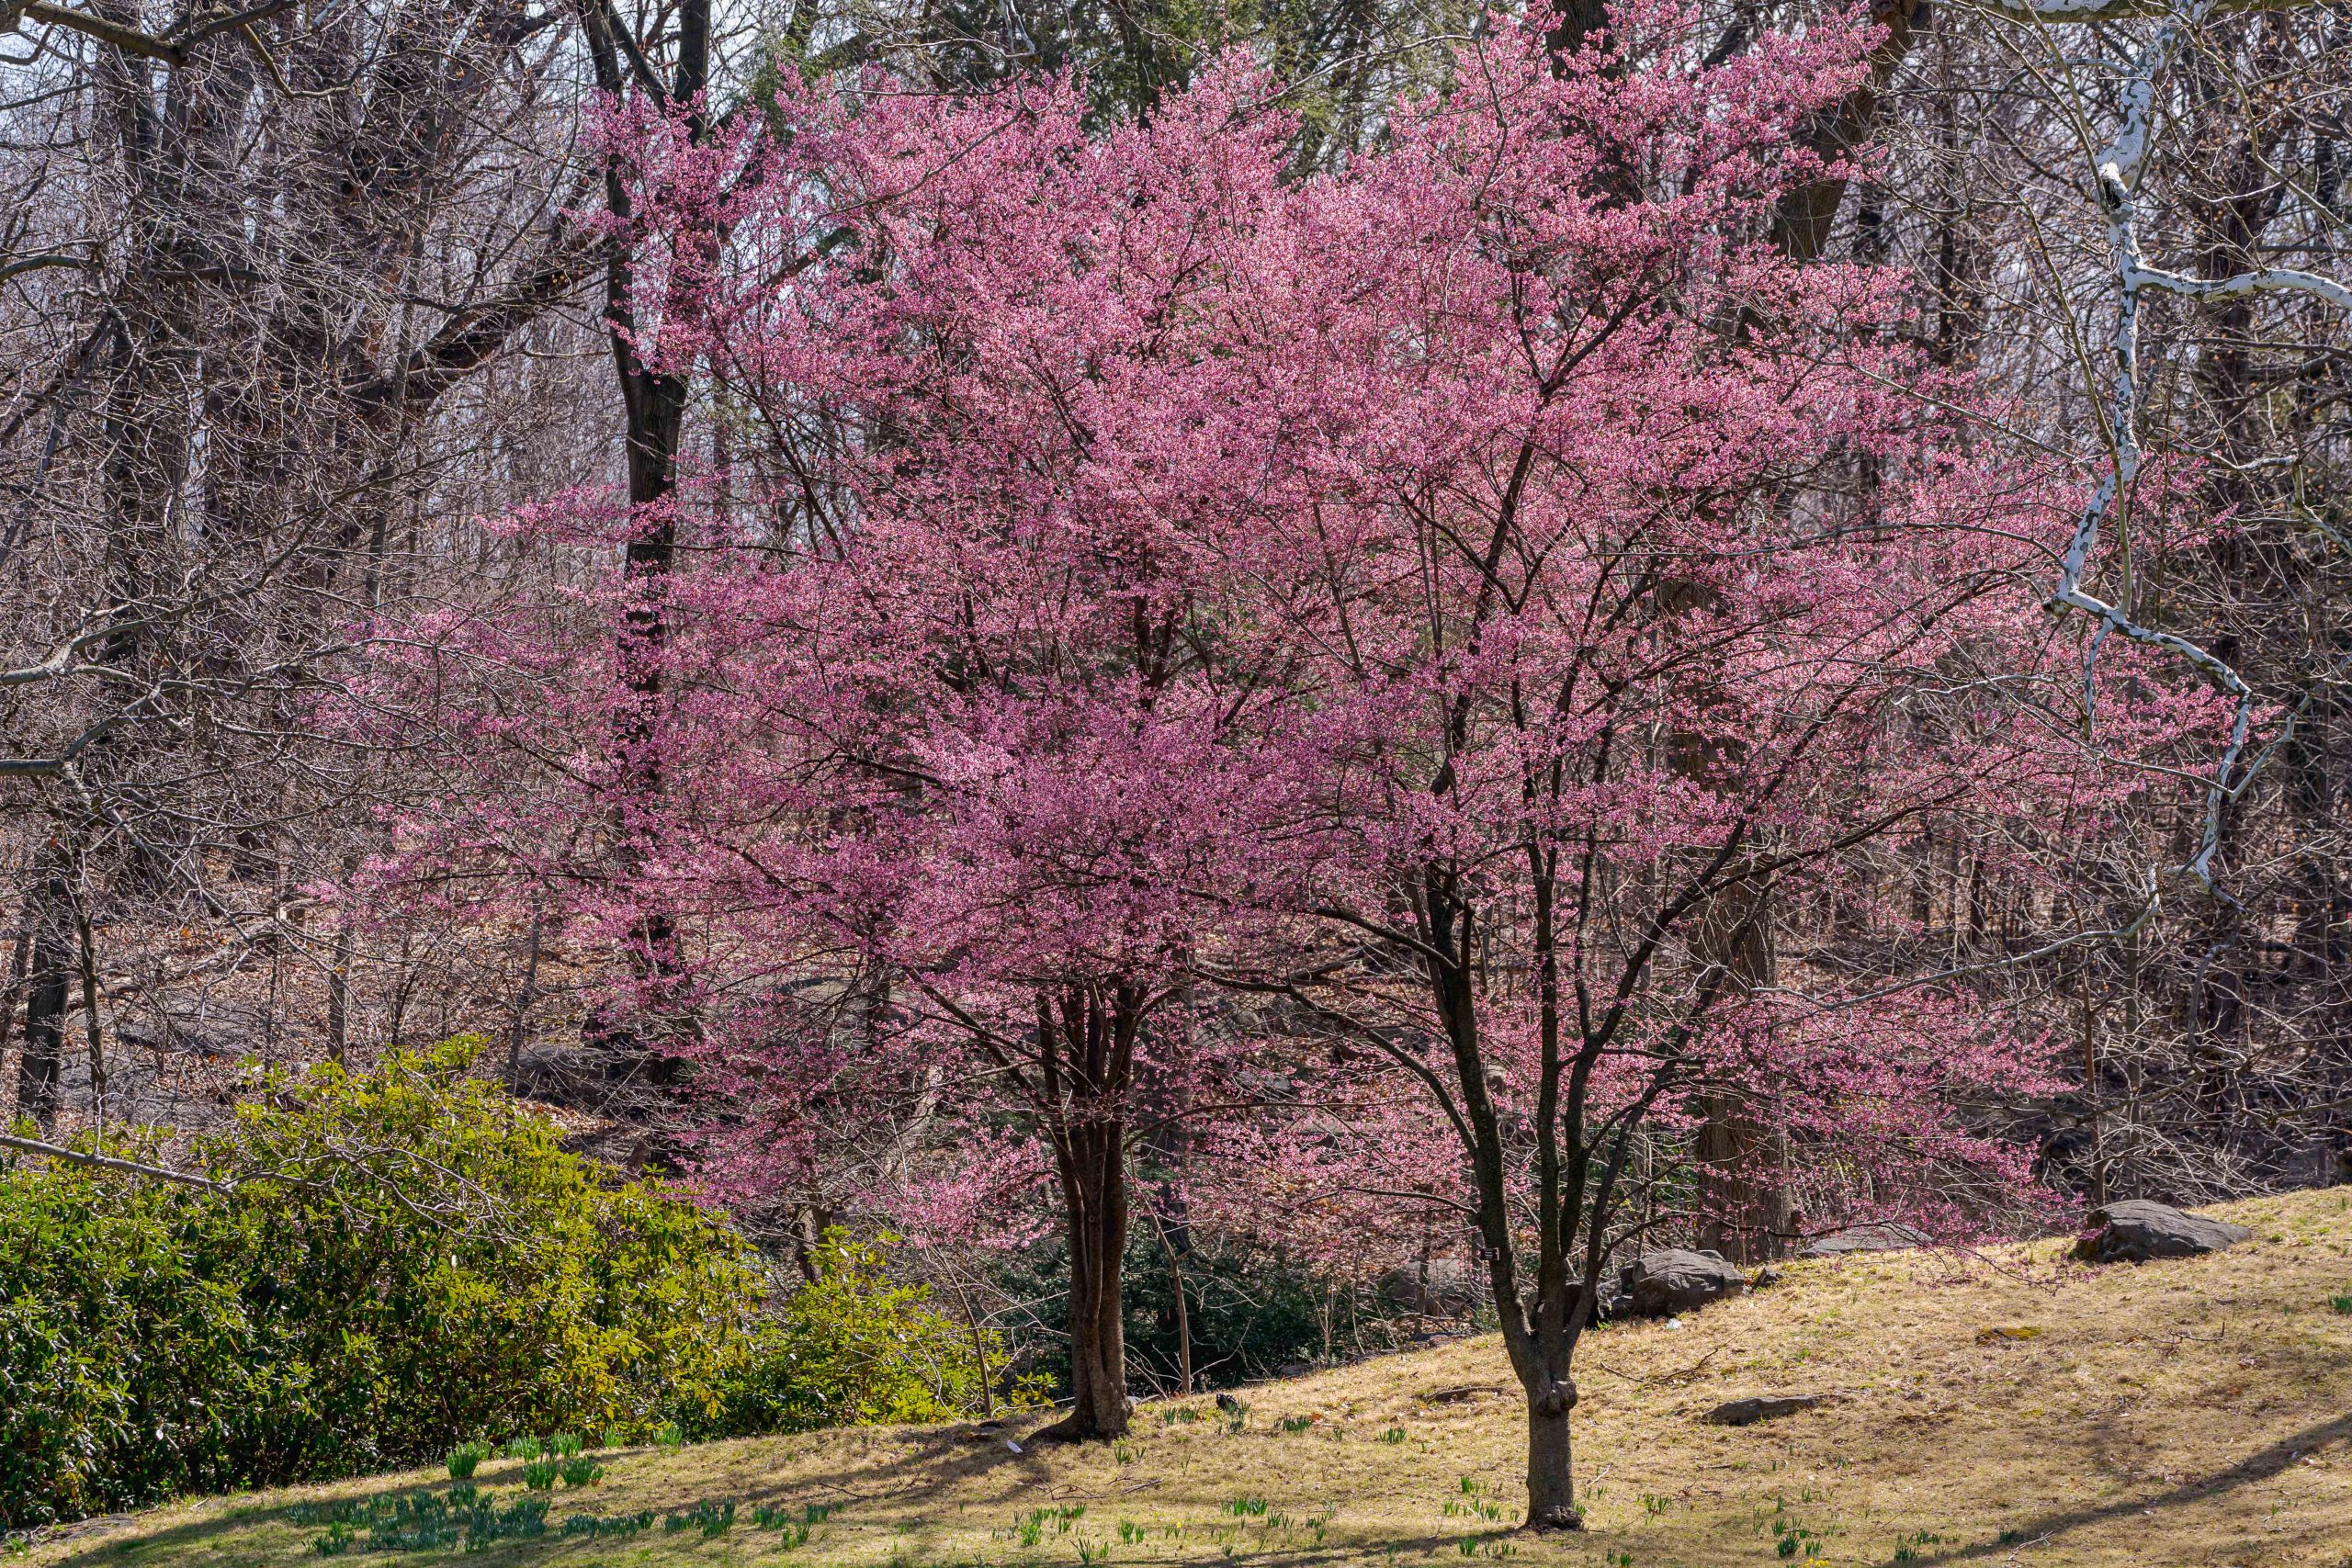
965	704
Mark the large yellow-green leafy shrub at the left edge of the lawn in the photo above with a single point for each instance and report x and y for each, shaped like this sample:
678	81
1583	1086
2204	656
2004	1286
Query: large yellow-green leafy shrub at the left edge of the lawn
399	1259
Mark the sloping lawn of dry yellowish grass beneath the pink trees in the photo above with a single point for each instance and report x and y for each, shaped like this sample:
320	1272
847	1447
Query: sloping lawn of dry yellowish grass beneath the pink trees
1989	1409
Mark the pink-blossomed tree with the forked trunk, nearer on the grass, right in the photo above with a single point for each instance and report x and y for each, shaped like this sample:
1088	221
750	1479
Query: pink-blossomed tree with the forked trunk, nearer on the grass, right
1652	598
